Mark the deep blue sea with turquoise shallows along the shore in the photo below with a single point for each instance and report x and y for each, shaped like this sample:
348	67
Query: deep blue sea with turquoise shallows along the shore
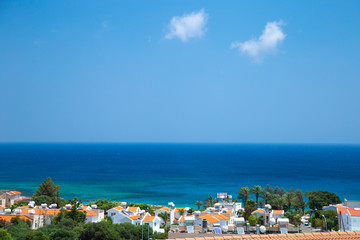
182	173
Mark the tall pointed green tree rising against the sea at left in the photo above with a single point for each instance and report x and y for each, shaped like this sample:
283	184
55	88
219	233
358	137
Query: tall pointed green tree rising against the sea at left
48	193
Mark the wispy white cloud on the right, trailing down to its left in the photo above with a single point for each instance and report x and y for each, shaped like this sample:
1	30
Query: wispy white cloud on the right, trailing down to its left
268	42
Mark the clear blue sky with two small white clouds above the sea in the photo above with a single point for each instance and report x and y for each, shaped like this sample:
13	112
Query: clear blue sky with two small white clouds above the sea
180	71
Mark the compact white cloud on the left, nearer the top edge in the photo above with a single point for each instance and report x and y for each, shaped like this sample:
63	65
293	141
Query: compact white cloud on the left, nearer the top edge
188	26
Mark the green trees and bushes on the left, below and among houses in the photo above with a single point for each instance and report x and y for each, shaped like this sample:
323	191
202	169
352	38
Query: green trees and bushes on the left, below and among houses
70	225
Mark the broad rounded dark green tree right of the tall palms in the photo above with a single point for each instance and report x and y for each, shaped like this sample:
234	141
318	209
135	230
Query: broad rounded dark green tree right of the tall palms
319	199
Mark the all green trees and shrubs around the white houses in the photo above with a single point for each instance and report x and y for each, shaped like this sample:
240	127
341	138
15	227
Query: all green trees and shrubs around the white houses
70	225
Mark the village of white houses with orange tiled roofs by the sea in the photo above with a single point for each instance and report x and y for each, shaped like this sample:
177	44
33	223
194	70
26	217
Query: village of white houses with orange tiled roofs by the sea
224	218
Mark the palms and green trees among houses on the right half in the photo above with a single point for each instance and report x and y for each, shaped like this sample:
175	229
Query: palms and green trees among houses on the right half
292	202
